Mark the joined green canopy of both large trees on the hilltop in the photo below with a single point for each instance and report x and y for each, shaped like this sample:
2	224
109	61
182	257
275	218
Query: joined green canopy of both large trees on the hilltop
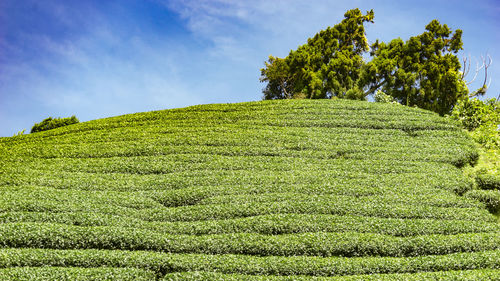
423	71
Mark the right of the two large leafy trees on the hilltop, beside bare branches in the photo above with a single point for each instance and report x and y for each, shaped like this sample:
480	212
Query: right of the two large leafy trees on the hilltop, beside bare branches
423	71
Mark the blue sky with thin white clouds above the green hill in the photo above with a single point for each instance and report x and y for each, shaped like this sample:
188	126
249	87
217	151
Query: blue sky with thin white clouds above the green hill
96	59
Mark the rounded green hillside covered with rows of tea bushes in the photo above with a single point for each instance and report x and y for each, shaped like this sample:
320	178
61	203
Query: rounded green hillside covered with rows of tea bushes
261	190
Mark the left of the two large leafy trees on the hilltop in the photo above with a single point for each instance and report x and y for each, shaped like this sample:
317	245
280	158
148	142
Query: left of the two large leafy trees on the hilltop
328	65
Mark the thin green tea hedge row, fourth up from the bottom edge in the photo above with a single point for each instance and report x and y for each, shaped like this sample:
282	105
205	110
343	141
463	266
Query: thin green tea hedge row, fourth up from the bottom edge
266	224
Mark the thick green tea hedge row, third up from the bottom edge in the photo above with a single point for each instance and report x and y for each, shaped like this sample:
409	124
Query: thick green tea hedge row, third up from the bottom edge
37	235
